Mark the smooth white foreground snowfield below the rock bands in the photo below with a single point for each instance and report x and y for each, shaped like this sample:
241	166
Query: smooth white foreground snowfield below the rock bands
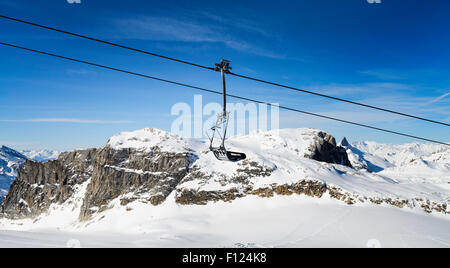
283	221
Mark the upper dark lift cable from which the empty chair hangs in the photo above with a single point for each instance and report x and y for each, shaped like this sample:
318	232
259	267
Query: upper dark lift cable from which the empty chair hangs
234	74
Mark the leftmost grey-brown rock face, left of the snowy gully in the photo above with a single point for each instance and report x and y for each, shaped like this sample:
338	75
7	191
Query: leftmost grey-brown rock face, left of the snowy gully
38	185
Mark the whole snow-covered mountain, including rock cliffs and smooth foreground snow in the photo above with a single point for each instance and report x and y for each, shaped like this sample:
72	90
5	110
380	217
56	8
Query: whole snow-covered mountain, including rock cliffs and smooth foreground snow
297	187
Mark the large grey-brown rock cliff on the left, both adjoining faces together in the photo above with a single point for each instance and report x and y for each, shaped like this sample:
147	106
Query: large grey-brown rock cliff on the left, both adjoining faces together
127	173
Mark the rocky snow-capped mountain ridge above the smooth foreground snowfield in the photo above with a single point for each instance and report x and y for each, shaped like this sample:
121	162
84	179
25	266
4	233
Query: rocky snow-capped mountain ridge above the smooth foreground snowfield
149	165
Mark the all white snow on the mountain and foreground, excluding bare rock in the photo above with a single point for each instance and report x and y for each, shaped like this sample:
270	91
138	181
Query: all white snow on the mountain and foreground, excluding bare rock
380	171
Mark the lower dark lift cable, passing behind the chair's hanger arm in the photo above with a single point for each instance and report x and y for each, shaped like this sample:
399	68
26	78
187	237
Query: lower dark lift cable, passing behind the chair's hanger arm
221	93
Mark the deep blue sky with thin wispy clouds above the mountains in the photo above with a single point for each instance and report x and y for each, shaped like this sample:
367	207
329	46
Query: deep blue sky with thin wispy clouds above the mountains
394	54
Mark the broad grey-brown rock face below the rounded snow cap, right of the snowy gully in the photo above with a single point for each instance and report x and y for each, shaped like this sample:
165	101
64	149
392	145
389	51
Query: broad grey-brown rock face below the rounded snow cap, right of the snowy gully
150	177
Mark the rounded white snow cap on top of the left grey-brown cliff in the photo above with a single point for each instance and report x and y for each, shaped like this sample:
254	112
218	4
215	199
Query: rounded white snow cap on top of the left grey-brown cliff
147	139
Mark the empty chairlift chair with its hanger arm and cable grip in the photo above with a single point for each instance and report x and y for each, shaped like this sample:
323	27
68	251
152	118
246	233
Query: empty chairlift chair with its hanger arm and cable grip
221	125
